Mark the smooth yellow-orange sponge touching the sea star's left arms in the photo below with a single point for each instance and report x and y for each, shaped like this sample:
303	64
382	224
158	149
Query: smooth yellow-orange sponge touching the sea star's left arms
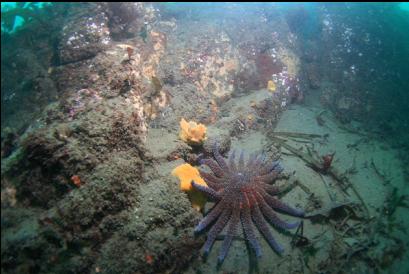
186	174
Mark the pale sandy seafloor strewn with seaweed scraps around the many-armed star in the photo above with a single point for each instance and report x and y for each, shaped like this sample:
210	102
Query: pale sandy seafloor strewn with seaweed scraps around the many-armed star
373	189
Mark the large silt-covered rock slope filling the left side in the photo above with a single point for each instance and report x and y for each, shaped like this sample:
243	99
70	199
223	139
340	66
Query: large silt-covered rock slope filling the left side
73	183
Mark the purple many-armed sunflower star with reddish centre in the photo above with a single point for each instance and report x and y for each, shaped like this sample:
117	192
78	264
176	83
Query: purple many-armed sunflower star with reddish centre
242	193
